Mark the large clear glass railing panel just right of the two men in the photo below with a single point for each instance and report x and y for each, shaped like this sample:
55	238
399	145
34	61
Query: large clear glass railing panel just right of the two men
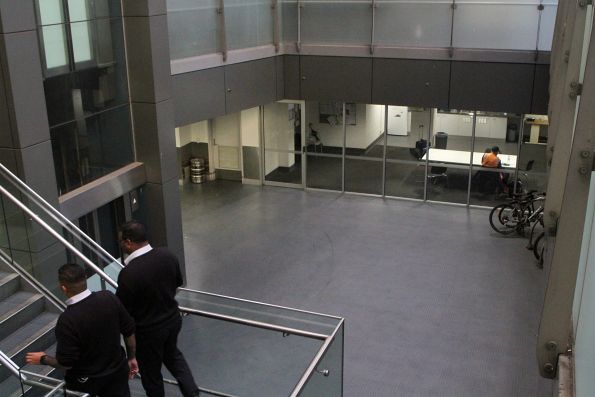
244	361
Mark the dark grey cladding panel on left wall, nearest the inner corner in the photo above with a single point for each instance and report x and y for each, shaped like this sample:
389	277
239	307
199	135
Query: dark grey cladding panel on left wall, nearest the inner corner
249	84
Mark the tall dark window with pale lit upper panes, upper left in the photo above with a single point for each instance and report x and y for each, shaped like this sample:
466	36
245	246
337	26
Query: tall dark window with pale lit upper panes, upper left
86	88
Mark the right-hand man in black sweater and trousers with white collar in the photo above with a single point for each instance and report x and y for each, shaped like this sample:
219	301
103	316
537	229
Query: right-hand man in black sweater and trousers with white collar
147	287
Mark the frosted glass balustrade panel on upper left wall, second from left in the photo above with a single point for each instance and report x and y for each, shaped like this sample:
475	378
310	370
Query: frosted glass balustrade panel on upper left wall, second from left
248	23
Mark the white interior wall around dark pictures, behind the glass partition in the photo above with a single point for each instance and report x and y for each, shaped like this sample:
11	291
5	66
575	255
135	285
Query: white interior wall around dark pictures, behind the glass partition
369	126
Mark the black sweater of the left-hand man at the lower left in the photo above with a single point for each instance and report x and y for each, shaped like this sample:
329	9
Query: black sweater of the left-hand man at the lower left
88	335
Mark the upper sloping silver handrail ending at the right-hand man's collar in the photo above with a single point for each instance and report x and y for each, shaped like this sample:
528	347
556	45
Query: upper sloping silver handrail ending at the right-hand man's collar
57	215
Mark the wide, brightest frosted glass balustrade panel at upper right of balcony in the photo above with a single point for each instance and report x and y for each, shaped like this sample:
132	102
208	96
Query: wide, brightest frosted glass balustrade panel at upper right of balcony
489	24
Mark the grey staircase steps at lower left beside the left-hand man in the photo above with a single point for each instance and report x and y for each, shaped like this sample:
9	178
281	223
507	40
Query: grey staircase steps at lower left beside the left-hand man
27	321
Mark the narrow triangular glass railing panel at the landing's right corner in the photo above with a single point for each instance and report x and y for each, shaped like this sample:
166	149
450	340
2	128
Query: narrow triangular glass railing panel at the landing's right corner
327	379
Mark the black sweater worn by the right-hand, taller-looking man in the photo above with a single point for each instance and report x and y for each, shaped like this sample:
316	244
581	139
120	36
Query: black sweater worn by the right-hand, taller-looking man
147	288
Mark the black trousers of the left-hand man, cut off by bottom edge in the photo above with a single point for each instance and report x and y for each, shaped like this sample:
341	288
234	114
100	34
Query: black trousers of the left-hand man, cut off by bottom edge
112	385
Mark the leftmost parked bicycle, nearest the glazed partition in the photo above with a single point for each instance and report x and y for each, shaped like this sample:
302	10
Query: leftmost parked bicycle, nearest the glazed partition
517	214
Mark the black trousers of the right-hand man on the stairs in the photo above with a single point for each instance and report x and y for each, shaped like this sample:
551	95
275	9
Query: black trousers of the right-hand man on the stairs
160	347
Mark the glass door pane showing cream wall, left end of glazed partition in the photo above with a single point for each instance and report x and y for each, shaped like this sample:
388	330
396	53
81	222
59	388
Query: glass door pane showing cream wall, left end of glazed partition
283	138
